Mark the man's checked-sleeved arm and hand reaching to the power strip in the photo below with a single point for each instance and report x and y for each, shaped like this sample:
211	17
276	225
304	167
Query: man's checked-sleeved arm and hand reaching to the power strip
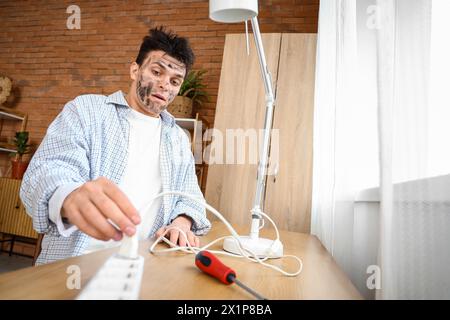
60	169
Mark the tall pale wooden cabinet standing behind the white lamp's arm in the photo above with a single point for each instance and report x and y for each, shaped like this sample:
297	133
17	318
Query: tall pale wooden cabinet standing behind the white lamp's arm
230	187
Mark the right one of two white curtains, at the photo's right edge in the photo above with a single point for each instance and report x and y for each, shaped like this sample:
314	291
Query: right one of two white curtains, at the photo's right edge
415	209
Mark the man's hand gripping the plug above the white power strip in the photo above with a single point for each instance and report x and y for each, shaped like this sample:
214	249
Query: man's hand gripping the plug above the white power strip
89	207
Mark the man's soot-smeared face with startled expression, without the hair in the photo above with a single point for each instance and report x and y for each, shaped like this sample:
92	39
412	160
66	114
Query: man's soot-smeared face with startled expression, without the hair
158	81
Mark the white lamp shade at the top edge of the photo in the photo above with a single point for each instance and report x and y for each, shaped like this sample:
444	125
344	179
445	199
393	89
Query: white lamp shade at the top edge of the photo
231	11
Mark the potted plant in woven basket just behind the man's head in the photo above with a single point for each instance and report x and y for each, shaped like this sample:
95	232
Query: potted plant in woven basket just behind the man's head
191	92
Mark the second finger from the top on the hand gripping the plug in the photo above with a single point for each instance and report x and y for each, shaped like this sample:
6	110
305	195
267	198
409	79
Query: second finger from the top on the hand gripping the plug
110	210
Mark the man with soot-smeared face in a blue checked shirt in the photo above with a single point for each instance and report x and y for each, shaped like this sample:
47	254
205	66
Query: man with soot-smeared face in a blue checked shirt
104	158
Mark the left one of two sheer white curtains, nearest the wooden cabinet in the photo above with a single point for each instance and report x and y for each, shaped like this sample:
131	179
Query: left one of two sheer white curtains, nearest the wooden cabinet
345	129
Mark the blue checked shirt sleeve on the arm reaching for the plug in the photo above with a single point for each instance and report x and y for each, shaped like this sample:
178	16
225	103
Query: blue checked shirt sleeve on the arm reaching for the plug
60	160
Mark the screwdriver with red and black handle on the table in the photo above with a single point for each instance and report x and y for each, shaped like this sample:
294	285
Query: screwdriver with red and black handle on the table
210	264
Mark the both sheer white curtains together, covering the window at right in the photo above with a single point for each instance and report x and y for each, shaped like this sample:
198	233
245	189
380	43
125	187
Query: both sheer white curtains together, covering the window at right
382	118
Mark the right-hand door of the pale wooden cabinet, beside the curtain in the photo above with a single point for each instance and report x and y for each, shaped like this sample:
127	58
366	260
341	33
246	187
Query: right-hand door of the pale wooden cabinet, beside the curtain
288	194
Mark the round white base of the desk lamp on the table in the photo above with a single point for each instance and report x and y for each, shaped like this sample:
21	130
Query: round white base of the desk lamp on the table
260	246
